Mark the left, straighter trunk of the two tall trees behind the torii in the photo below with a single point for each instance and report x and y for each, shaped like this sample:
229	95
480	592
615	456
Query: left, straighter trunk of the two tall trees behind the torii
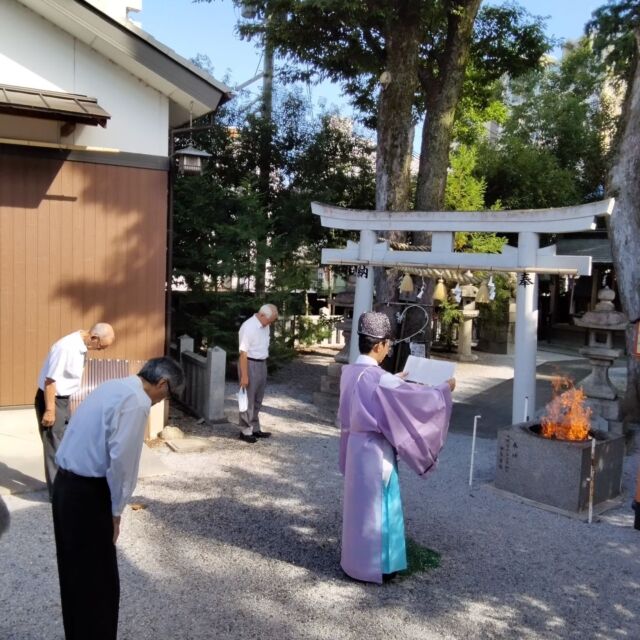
395	123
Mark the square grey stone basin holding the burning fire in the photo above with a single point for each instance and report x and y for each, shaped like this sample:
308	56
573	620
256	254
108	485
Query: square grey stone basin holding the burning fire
556	472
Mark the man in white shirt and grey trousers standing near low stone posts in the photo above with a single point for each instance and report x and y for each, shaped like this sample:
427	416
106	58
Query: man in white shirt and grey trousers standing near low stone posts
253	338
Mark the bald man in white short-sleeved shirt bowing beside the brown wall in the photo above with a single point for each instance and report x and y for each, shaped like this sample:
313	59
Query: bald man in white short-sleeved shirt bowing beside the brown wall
59	378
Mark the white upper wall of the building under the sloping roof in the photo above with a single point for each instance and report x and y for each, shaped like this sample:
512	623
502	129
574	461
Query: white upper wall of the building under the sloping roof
37	54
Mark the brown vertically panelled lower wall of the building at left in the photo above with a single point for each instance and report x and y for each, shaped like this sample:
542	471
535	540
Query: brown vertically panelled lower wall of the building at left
79	243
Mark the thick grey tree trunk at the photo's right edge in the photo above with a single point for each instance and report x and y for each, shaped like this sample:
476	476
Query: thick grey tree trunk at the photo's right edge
624	226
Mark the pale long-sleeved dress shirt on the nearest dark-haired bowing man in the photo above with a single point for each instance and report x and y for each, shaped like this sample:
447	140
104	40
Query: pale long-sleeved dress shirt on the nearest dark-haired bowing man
104	437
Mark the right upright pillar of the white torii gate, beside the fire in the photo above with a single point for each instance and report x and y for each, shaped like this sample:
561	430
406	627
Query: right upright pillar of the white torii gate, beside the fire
524	379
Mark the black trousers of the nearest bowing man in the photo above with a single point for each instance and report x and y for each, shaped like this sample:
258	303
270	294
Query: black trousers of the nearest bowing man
87	564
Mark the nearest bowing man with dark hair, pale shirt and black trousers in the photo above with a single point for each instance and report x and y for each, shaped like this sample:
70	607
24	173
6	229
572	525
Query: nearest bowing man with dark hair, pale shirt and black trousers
98	469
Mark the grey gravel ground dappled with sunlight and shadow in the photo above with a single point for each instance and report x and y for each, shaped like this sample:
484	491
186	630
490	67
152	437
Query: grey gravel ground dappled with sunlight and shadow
242	541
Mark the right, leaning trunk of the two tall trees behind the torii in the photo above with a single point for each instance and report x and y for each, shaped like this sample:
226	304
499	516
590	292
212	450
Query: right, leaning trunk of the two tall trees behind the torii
442	92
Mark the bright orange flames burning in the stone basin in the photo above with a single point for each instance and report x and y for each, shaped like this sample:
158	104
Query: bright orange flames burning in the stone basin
567	418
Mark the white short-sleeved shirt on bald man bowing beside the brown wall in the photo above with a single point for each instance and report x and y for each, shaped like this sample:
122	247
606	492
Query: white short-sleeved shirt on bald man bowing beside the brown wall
64	364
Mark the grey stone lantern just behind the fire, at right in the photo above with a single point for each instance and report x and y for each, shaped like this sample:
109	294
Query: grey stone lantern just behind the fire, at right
602	396
